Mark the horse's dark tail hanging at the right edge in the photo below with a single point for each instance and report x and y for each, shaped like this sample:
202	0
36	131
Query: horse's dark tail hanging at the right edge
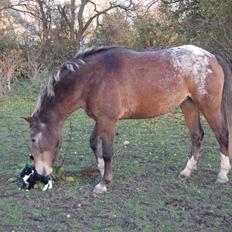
227	100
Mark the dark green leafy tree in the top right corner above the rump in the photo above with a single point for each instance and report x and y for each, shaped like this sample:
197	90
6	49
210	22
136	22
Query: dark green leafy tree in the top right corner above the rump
205	23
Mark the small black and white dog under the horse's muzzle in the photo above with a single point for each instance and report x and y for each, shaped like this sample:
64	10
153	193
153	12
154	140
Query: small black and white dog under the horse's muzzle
30	177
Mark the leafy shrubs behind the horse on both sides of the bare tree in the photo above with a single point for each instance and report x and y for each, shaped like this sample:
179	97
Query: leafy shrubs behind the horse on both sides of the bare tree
204	23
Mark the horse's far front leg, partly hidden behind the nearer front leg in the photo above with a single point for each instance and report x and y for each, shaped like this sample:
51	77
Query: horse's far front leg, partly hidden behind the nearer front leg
96	147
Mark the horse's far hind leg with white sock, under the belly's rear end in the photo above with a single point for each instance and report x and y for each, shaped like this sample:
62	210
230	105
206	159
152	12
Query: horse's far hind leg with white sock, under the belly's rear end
192	118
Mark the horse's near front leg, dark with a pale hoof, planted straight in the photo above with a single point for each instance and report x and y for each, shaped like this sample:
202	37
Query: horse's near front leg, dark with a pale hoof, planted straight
106	131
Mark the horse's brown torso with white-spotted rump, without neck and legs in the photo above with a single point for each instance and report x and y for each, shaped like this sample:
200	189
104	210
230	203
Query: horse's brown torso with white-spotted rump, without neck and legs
149	84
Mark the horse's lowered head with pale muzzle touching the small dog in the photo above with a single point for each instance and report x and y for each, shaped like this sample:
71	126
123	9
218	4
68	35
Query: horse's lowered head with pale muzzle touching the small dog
45	143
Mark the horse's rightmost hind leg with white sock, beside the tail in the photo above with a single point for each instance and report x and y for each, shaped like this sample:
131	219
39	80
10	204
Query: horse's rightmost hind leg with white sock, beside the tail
215	119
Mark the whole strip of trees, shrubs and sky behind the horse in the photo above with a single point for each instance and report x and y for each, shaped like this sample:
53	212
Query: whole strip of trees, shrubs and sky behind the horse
38	35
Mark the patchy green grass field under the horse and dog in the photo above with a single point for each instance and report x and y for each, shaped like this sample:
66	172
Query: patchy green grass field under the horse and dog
146	193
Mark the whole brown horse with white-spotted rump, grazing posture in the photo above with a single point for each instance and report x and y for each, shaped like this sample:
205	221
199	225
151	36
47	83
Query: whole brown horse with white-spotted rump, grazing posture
113	83
